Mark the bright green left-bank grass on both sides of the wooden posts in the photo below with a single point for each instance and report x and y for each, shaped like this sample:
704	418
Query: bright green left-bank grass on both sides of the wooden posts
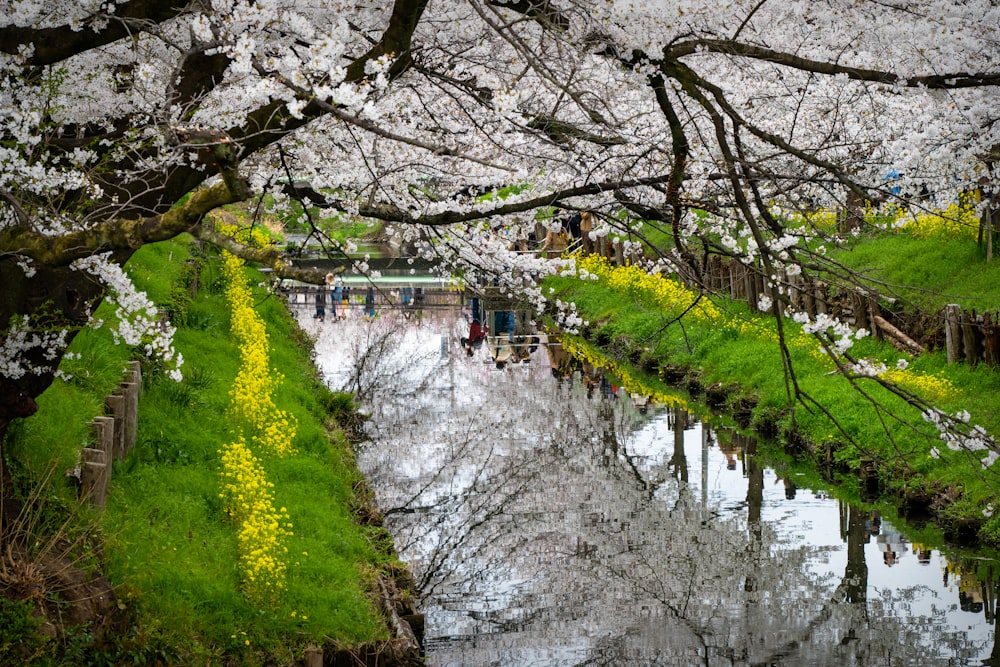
169	547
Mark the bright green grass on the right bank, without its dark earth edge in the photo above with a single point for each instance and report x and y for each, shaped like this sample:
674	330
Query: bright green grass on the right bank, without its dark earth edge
739	348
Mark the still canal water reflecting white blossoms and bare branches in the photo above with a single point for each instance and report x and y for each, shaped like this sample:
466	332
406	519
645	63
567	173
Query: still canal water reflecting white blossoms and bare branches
551	517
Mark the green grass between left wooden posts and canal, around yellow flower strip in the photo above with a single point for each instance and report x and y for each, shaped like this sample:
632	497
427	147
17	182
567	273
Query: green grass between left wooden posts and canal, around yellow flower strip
185	554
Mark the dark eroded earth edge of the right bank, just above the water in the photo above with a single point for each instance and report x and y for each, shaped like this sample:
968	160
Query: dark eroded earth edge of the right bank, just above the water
743	405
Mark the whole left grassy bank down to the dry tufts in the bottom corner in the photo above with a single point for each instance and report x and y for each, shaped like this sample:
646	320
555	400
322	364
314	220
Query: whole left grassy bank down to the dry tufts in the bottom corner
165	540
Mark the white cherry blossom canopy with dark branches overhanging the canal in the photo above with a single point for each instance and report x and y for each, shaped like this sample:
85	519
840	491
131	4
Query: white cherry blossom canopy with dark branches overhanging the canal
128	122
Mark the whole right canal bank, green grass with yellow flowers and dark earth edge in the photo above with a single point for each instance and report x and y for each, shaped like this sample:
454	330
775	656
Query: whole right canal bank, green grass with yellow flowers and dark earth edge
845	431
